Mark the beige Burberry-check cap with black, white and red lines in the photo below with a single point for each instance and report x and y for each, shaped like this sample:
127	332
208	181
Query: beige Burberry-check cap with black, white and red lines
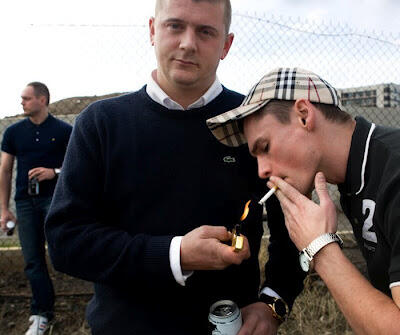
280	84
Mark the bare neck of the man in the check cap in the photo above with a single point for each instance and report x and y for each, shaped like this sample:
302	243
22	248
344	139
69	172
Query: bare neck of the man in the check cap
336	148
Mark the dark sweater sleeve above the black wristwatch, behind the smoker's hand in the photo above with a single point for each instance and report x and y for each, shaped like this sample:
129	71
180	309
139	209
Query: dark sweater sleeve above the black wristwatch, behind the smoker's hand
282	272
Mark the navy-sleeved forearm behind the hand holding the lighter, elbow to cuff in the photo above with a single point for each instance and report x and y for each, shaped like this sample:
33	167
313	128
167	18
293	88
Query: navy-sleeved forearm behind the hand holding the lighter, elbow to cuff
93	251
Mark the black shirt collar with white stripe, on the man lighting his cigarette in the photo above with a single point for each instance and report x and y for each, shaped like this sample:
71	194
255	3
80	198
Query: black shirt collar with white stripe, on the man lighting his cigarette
358	156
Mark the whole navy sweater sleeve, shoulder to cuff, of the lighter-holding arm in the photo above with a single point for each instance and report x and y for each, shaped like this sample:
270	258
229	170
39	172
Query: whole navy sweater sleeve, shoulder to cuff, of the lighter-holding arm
82	241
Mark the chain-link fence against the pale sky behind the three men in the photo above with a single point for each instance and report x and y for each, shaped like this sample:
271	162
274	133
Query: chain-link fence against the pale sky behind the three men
363	65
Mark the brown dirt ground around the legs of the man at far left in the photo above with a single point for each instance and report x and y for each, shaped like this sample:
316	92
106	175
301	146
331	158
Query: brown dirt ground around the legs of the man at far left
72	296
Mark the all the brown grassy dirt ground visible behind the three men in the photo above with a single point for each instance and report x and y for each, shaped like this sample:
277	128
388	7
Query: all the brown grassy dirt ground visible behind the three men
314	312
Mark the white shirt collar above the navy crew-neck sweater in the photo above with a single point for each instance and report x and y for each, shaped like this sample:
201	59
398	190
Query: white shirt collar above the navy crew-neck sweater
158	95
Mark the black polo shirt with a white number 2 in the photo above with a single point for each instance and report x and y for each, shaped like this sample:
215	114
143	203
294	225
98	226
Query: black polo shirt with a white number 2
370	198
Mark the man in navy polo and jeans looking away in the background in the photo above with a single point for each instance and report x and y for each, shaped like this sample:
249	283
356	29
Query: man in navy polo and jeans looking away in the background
38	143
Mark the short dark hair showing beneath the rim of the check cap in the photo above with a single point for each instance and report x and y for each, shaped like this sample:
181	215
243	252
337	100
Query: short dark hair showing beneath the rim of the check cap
281	110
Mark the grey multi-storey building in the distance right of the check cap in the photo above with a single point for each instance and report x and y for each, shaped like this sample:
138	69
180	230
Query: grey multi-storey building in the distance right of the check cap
381	96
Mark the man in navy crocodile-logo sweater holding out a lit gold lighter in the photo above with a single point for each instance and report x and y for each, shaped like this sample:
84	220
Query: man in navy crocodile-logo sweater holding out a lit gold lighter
148	196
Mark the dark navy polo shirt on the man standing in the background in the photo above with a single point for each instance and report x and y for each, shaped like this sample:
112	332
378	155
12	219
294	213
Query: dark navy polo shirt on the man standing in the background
34	146
